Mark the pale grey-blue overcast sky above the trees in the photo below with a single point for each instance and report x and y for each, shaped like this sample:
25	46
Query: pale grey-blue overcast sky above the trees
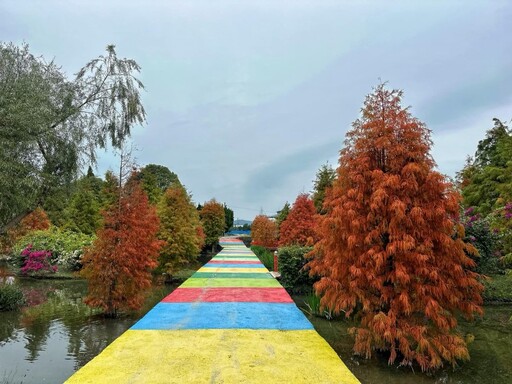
247	99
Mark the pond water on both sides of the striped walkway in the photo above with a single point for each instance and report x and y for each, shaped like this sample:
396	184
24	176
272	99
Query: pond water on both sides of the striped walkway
56	334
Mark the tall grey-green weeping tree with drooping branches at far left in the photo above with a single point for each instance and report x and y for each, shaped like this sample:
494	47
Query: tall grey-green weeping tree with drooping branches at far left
51	125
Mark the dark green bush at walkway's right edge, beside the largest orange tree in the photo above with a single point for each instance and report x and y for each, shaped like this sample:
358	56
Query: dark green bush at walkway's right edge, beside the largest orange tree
291	263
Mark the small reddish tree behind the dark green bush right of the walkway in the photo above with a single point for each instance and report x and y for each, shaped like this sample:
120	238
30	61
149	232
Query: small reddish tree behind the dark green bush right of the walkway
299	226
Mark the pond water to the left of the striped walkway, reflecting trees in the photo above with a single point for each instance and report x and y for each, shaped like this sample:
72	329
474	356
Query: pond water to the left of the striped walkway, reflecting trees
56	333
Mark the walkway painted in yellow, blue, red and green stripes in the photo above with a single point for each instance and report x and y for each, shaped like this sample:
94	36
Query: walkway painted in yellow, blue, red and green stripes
231	322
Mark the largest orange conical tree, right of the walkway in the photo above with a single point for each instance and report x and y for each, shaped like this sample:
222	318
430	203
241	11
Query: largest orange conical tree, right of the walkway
391	248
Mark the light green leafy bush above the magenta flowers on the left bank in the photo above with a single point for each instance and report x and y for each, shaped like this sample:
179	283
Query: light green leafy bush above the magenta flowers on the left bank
66	247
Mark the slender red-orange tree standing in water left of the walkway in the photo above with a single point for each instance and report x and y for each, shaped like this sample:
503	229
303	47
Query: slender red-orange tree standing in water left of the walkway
118	265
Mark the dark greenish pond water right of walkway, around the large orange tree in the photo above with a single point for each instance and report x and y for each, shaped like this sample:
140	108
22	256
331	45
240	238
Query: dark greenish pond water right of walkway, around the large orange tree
491	352
